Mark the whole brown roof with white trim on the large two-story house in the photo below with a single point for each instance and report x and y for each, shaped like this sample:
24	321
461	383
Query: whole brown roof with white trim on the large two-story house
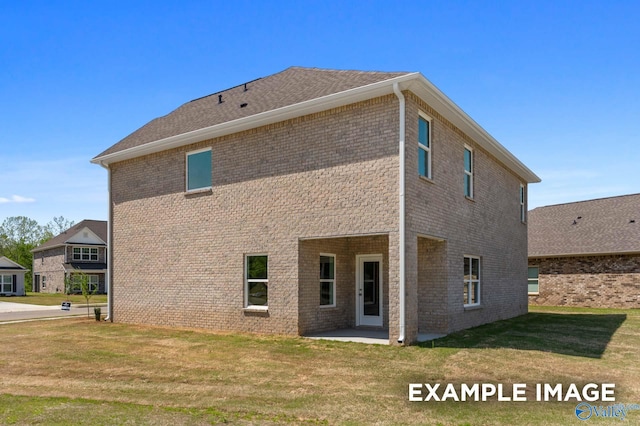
294	92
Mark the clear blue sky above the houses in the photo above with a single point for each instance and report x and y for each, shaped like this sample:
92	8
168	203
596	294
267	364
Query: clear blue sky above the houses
556	82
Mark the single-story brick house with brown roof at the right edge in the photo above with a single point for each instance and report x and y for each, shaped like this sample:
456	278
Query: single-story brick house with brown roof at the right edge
586	253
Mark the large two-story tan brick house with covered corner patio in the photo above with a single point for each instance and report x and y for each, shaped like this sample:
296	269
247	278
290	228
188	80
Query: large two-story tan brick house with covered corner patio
313	200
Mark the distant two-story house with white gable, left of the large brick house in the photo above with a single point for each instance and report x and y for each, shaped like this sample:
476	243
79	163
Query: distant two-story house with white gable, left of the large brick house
81	248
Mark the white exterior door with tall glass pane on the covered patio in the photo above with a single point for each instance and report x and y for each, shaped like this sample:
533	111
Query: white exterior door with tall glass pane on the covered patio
369	290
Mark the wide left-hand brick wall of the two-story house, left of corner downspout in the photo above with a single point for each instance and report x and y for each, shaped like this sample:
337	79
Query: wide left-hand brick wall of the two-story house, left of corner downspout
178	259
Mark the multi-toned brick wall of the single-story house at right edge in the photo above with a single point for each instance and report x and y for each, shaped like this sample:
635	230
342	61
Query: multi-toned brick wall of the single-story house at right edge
591	281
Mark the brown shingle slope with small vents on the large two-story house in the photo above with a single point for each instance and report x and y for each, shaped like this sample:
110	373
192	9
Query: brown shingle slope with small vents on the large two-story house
288	87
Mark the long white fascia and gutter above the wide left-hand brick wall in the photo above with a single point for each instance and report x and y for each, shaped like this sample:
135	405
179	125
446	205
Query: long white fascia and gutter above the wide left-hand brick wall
264	118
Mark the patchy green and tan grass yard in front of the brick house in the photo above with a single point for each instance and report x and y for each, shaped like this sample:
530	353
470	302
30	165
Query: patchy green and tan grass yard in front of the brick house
80	371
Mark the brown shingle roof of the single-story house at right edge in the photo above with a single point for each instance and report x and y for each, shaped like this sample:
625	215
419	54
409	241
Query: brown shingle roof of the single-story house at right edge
601	226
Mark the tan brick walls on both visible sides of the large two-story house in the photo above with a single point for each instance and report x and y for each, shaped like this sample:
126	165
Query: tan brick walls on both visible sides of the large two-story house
306	186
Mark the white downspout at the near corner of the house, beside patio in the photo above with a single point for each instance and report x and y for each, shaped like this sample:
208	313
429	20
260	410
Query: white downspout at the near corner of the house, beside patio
401	214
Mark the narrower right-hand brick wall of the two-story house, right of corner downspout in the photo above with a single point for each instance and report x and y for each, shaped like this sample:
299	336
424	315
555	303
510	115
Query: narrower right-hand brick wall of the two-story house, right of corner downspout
487	226
